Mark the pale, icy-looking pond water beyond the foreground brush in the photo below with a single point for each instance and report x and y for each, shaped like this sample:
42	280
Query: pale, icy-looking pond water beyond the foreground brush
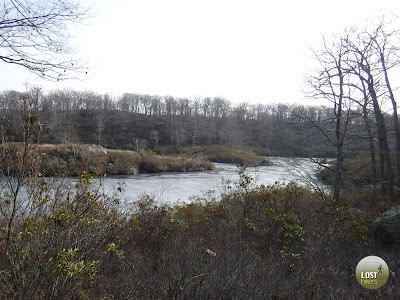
177	187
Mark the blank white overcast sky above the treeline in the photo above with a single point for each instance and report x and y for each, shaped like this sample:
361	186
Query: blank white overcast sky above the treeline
255	51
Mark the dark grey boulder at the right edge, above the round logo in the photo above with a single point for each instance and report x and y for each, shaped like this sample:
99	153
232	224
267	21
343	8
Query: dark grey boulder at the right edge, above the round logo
386	228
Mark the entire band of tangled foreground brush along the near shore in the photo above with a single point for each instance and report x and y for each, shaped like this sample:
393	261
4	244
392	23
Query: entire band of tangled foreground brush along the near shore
265	242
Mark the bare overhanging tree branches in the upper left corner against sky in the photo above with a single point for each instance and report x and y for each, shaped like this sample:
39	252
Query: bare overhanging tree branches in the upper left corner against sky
34	35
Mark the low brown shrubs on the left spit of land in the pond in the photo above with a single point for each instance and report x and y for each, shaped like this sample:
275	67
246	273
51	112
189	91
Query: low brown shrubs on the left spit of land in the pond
71	160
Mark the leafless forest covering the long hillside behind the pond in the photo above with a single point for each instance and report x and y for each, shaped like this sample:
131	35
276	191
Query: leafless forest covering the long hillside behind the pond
136	121
